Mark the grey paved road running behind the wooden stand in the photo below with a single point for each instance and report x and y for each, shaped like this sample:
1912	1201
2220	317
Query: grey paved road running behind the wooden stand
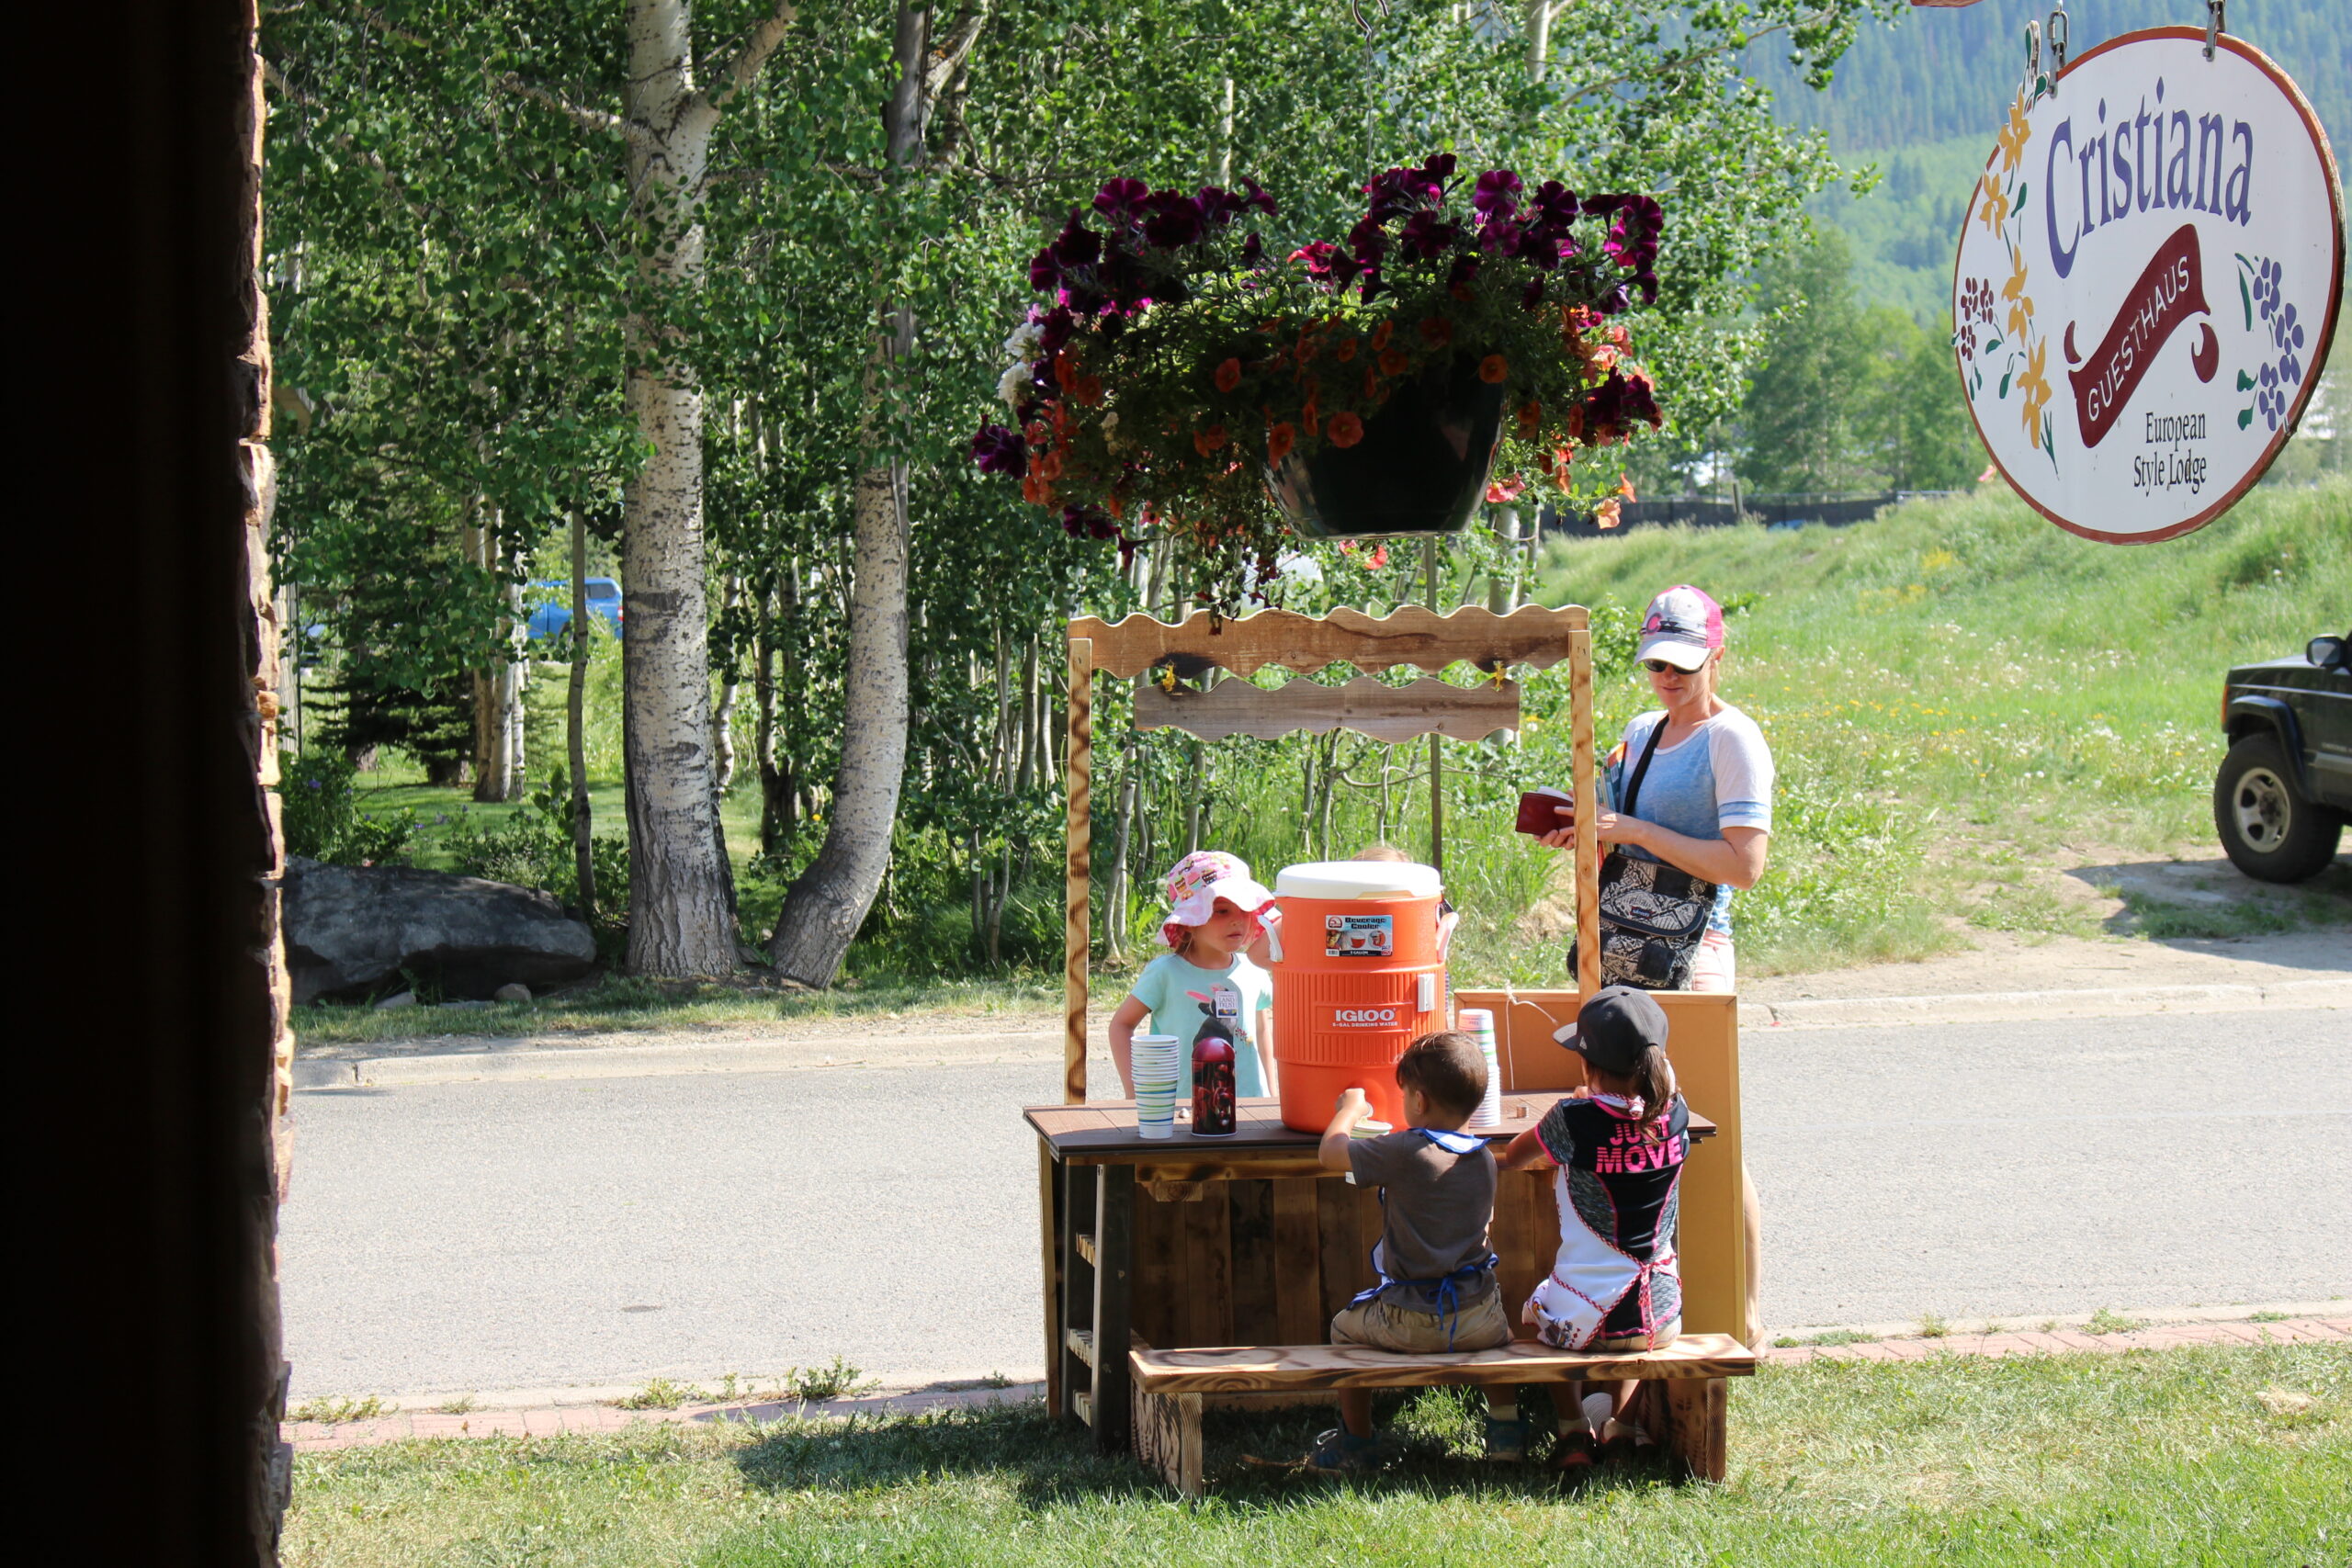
603	1231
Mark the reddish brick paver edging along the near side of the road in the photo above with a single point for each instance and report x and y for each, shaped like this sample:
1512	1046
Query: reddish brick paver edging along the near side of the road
549	1421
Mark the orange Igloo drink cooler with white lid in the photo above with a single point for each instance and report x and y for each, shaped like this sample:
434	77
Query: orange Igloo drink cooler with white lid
1356	981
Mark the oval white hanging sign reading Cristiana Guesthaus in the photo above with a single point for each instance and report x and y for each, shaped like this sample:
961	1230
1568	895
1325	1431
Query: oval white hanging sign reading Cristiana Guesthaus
2149	281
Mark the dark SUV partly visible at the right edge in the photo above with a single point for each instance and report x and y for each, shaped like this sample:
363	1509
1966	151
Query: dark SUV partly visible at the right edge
2285	791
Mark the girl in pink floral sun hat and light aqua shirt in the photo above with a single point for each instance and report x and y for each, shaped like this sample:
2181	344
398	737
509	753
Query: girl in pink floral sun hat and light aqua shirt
1217	911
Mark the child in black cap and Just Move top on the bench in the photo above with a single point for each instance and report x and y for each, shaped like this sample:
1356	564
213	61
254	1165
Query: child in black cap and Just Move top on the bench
1619	1146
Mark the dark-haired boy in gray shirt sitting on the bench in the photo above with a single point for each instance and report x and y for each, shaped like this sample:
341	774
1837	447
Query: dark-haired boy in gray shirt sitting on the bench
1438	1287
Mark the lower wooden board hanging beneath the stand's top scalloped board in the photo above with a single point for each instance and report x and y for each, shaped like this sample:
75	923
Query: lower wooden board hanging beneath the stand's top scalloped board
1365	706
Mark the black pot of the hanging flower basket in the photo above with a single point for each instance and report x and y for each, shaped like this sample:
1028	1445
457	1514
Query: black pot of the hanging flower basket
1422	467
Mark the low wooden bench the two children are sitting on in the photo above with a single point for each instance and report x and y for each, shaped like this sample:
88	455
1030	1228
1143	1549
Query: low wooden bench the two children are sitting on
1170	1383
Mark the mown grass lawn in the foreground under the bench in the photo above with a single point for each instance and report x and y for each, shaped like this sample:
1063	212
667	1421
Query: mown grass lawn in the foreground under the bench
2186	1456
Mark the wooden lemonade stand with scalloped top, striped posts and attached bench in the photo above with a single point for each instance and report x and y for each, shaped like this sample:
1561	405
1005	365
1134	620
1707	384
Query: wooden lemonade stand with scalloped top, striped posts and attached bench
1210	1268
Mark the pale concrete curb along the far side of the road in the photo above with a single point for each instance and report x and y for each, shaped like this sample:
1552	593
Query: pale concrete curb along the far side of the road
799	1054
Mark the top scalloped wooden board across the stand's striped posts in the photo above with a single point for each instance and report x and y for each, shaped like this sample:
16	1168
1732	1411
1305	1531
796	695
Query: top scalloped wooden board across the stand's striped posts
1410	636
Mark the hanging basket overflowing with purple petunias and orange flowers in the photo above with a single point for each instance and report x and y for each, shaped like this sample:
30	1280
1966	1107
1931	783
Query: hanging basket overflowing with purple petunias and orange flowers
1187	382
